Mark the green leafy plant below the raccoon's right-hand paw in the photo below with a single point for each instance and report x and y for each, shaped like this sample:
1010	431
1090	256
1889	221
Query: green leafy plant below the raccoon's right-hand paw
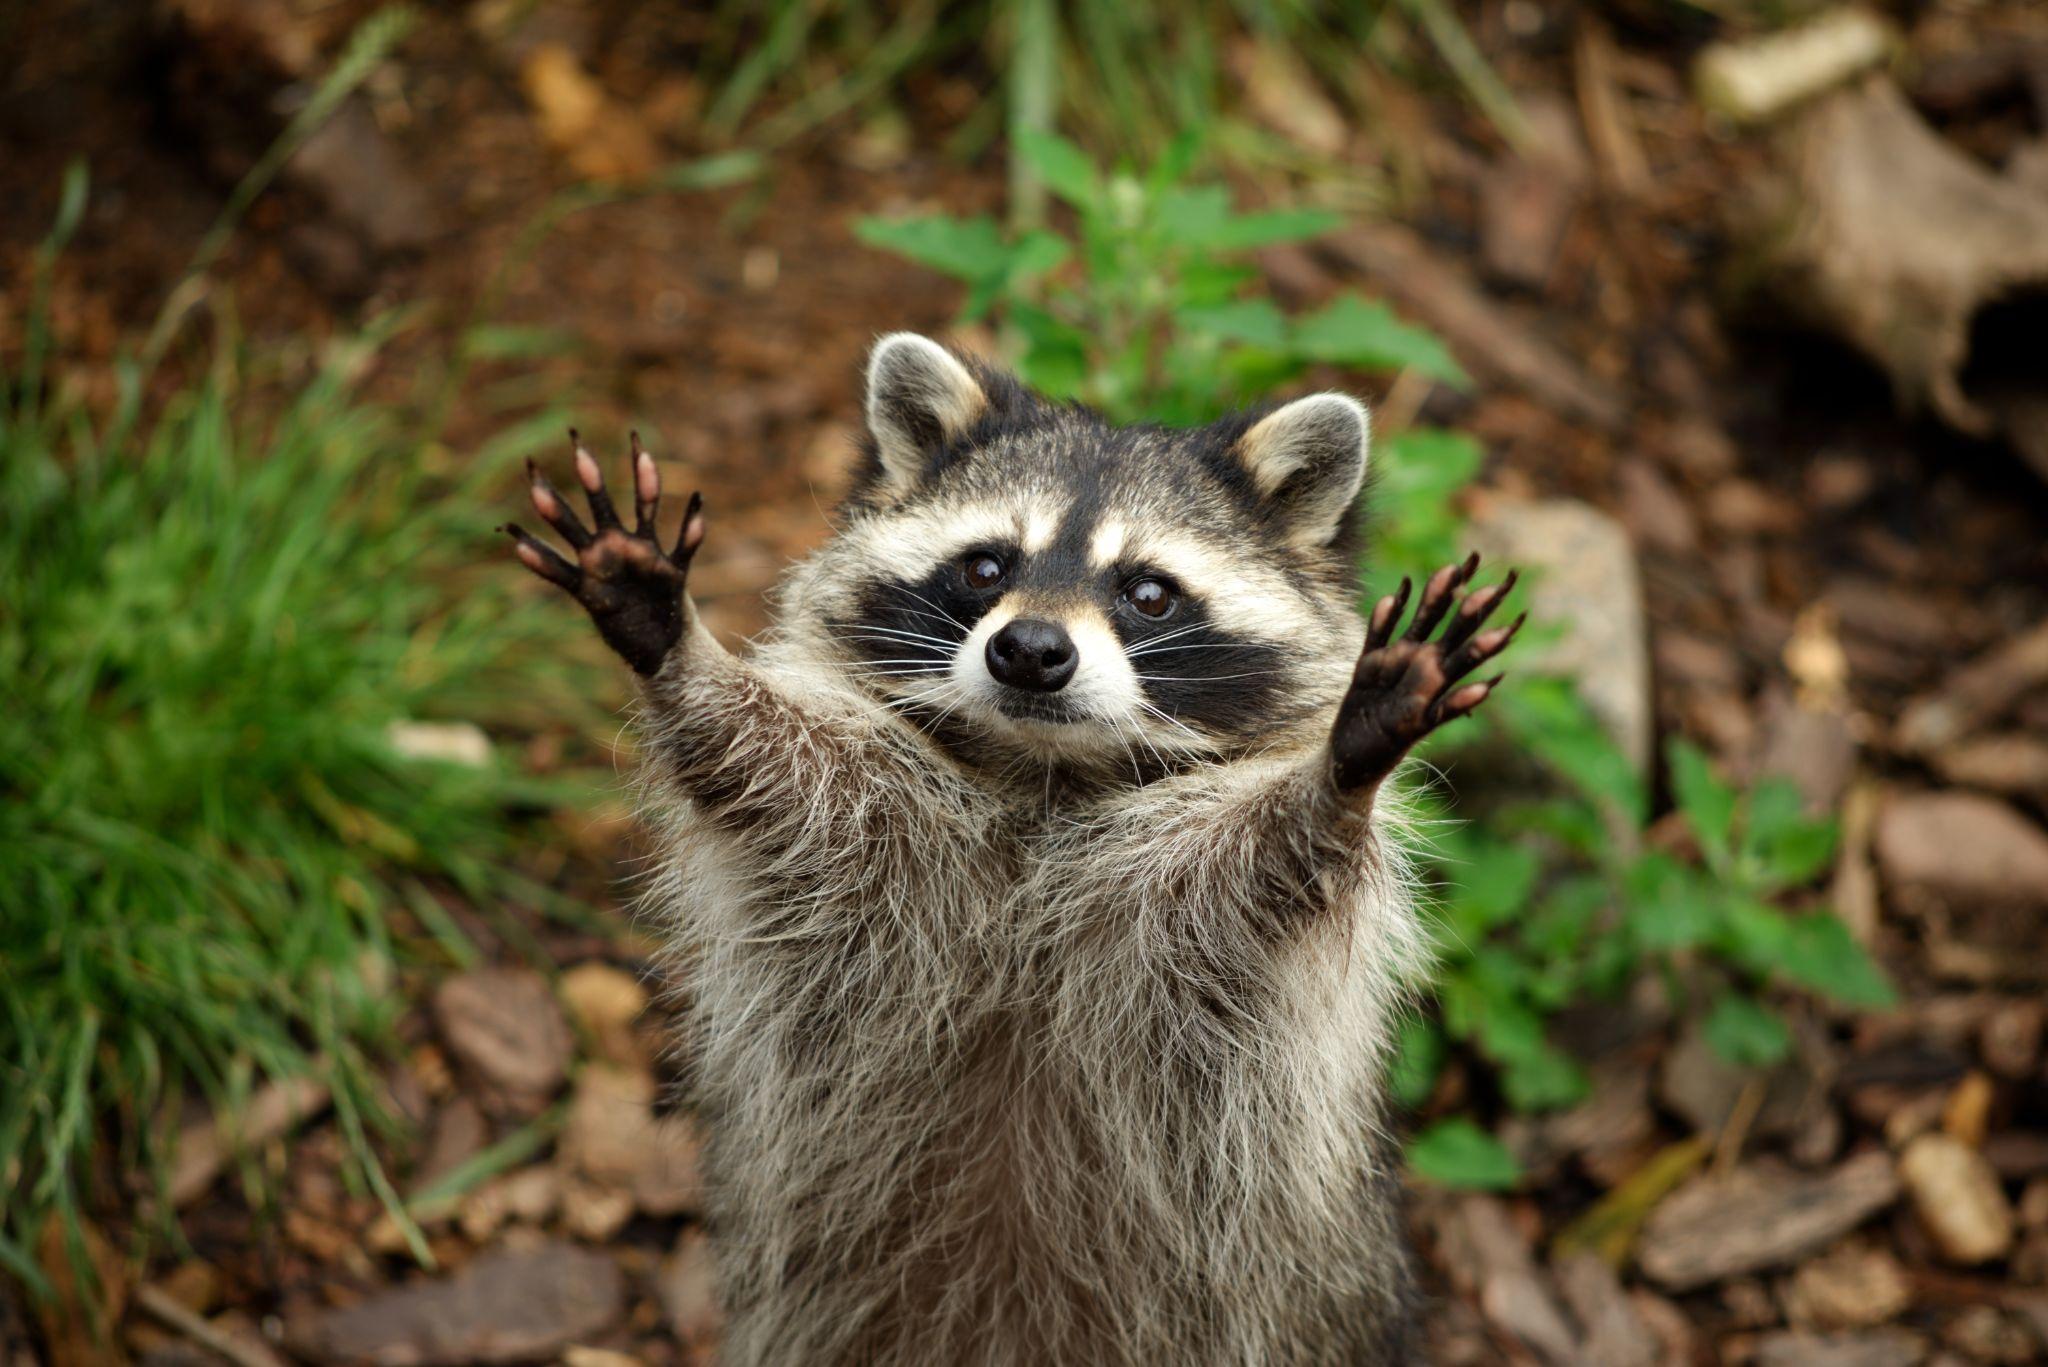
1558	901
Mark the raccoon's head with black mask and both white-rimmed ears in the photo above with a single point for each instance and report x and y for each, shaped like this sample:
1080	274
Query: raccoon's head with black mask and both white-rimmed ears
1027	579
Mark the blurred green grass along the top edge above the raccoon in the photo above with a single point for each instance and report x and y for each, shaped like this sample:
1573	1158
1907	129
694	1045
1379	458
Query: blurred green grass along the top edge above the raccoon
1125	77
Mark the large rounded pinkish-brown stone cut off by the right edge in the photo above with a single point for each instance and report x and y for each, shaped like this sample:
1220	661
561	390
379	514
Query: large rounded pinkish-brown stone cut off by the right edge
1963	847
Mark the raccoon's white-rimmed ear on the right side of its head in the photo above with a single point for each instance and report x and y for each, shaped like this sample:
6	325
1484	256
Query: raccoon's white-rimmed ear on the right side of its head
1308	460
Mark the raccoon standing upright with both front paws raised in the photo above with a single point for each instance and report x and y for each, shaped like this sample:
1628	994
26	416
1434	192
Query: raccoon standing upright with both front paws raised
1035	886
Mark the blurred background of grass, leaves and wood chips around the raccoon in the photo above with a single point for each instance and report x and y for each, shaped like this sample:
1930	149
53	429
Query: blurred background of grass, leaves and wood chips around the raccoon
327	1032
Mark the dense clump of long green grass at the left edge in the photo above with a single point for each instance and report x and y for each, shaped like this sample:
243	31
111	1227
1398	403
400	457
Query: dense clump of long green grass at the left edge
216	833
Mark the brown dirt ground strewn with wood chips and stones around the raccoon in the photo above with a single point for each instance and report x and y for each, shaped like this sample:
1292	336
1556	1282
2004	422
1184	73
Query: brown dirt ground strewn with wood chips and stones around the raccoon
1781	507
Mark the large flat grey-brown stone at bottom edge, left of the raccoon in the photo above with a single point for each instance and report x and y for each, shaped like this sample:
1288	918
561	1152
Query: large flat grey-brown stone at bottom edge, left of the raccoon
503	1309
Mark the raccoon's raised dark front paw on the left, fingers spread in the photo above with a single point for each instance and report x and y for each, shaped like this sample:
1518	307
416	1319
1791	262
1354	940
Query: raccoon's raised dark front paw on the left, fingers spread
624	579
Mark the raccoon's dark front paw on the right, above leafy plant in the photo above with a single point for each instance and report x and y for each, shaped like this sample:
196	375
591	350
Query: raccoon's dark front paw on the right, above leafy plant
1408	688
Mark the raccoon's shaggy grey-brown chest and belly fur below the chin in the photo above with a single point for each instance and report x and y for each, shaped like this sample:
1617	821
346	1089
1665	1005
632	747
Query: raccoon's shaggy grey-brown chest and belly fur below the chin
988	1093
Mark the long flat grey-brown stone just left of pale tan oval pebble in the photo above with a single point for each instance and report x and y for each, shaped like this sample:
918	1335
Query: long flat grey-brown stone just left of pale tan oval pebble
1758	1218
